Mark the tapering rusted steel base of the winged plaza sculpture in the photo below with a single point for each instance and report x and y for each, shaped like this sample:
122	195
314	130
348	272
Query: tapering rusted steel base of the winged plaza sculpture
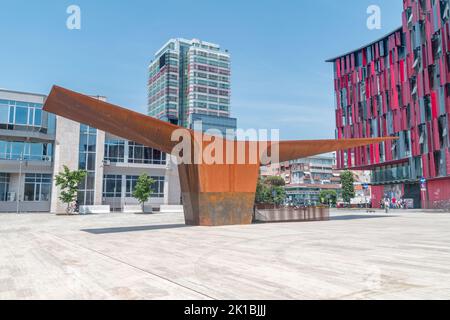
216	195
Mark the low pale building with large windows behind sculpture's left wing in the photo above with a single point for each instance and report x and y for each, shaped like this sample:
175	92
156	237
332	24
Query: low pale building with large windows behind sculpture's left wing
35	145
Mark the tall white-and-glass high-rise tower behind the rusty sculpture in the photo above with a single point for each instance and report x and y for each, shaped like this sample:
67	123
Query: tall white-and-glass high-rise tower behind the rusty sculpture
189	80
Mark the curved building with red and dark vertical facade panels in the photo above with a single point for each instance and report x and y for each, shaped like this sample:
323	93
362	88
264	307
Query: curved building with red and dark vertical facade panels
400	86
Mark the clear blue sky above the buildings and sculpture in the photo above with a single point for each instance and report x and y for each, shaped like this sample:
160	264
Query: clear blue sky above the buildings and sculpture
280	79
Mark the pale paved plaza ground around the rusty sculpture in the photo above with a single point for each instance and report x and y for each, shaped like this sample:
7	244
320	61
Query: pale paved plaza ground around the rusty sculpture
403	255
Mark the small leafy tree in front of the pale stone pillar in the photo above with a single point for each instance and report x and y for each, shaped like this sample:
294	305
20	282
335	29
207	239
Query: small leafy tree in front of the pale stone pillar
68	182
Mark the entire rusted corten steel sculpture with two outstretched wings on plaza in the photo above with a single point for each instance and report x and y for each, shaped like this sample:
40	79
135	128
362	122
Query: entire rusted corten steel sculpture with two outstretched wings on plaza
214	194
